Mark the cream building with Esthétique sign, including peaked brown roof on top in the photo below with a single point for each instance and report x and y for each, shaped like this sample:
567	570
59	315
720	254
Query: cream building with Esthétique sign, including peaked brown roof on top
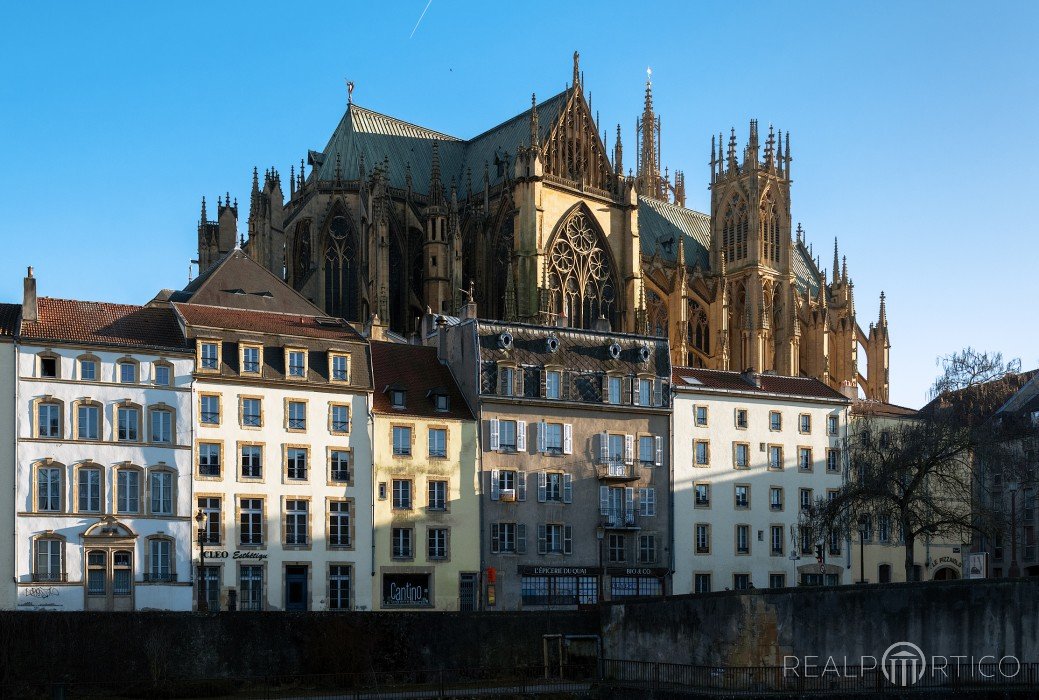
282	454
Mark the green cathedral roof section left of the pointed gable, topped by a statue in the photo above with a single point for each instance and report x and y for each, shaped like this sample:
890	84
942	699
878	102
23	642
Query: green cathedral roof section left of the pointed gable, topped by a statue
366	133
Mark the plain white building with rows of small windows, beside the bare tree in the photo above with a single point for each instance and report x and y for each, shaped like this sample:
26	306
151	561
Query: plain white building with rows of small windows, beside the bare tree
751	451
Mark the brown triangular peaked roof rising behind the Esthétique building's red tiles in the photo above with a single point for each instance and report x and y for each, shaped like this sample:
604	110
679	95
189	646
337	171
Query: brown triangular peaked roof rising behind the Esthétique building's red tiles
238	282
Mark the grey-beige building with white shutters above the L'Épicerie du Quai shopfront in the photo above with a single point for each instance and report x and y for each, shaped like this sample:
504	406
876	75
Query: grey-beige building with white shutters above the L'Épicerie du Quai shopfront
575	470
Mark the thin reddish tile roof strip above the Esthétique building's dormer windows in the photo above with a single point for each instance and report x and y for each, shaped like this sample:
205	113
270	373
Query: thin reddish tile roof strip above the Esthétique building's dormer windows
268	322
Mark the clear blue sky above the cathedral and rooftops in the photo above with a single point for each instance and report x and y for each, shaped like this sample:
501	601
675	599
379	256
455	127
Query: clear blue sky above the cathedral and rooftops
913	129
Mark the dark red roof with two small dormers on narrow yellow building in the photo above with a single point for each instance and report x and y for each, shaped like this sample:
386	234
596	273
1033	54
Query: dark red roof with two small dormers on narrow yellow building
416	369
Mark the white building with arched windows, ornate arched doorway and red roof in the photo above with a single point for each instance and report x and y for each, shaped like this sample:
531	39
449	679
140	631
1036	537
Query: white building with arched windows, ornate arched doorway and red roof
102	456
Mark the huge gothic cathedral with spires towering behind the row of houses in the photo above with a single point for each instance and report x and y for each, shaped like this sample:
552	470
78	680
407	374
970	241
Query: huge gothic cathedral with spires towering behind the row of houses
538	220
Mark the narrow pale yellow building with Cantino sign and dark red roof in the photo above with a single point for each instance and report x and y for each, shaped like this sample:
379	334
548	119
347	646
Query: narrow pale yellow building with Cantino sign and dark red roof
428	541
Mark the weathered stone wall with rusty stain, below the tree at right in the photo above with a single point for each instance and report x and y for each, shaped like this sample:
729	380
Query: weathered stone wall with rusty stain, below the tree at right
759	628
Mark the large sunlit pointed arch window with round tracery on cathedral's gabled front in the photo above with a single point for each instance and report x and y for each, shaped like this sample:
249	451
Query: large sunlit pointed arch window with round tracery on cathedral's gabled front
580	275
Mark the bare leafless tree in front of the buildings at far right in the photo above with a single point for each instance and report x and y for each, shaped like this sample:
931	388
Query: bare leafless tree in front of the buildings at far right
920	474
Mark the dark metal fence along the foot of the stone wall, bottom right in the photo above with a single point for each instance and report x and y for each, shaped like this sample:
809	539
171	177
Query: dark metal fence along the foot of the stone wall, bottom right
834	681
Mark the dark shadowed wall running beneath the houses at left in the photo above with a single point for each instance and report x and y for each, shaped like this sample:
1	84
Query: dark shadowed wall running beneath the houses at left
89	648
